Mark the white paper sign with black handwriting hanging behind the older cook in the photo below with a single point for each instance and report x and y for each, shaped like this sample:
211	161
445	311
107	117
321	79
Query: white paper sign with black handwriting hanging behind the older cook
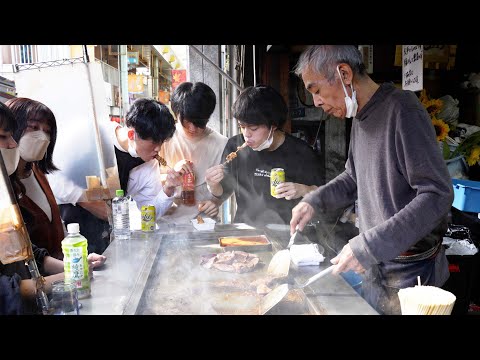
412	67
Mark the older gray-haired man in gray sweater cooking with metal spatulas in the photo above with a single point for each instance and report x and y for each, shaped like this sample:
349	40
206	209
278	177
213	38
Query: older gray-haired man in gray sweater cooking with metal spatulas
395	170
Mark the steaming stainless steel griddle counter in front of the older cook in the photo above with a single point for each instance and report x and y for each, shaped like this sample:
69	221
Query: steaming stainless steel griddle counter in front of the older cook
160	273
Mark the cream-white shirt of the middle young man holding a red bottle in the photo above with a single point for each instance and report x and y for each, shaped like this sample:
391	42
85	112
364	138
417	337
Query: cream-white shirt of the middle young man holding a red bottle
205	152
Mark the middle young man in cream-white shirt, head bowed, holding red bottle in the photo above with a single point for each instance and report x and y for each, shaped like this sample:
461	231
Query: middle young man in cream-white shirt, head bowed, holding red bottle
194	147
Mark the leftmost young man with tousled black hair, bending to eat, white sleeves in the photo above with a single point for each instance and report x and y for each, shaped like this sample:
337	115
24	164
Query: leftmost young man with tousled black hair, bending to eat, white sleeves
148	124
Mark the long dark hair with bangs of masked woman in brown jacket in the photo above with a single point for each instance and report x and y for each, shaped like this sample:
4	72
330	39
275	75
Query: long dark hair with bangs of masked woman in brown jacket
24	110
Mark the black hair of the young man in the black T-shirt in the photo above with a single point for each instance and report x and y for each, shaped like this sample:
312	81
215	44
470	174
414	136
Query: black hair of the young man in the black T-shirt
260	105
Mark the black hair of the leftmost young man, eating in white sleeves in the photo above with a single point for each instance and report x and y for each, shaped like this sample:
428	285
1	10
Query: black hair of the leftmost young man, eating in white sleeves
151	119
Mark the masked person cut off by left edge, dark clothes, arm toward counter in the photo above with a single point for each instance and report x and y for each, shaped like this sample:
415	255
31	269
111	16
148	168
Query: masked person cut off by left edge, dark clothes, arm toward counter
17	291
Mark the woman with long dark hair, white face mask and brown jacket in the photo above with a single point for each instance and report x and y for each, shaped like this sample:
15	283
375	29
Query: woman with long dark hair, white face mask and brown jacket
36	135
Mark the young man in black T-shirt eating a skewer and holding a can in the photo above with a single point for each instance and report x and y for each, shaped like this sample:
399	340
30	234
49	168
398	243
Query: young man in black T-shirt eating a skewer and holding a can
261	113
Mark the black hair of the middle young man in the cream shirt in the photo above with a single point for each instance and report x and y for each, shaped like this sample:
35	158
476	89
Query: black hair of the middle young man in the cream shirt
194	102
